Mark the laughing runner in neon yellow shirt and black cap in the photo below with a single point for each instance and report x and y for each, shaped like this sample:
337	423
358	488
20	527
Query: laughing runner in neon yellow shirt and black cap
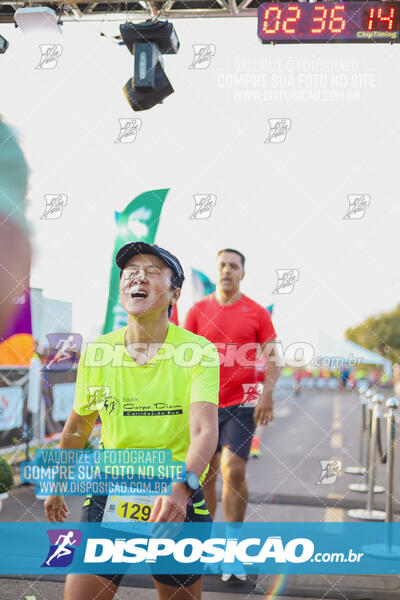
150	397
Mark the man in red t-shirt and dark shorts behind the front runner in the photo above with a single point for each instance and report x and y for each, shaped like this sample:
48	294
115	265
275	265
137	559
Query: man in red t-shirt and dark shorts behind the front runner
239	327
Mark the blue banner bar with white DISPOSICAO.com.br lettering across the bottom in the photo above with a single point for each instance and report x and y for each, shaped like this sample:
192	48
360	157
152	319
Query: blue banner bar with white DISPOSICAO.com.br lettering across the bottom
292	548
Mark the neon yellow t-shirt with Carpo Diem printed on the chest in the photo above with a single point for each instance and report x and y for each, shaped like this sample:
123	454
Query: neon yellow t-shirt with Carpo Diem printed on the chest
154	398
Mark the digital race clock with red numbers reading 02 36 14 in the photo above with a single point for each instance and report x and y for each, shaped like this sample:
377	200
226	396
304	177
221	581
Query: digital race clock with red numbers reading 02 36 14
348	21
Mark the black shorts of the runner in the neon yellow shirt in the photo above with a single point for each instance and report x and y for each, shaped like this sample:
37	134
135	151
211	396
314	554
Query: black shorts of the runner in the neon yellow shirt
196	512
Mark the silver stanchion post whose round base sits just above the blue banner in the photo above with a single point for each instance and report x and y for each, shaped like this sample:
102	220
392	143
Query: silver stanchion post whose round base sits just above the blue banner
369	513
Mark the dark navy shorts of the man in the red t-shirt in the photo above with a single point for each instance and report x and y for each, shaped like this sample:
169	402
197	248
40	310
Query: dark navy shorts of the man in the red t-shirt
236	429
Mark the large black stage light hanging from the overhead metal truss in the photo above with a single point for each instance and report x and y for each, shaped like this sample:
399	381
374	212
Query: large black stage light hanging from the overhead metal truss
147	42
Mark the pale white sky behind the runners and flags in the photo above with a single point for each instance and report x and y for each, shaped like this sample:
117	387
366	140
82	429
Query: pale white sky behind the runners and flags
281	204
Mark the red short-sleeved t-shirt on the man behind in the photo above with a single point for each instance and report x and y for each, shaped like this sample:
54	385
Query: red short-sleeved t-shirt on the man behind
229	327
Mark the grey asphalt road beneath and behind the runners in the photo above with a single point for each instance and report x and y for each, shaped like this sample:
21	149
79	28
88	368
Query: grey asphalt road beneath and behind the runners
283	486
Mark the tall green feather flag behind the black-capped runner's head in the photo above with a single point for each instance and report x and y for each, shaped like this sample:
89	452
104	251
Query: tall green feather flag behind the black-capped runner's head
138	222
